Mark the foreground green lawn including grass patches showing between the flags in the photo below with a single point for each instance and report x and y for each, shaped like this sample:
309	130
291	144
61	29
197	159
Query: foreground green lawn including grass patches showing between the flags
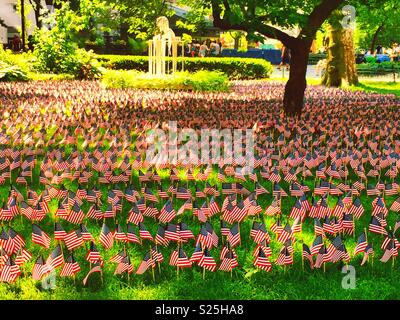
377	281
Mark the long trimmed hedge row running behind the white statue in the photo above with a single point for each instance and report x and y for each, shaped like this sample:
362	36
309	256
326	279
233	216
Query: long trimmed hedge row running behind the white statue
235	68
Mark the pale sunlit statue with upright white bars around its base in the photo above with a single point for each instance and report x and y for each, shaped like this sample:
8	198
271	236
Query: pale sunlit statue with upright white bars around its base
165	44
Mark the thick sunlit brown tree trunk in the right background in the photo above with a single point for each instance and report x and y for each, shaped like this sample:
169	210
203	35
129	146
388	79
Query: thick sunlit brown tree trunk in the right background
340	65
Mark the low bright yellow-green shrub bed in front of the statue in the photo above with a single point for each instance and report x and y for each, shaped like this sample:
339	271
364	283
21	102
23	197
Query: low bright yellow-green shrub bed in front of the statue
198	81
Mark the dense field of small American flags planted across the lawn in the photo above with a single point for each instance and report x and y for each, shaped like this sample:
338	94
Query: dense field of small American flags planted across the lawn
75	178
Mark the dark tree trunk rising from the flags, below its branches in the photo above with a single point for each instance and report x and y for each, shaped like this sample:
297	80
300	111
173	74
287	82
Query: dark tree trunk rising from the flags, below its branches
293	99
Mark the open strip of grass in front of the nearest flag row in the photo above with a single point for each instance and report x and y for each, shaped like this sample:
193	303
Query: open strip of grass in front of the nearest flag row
293	284
